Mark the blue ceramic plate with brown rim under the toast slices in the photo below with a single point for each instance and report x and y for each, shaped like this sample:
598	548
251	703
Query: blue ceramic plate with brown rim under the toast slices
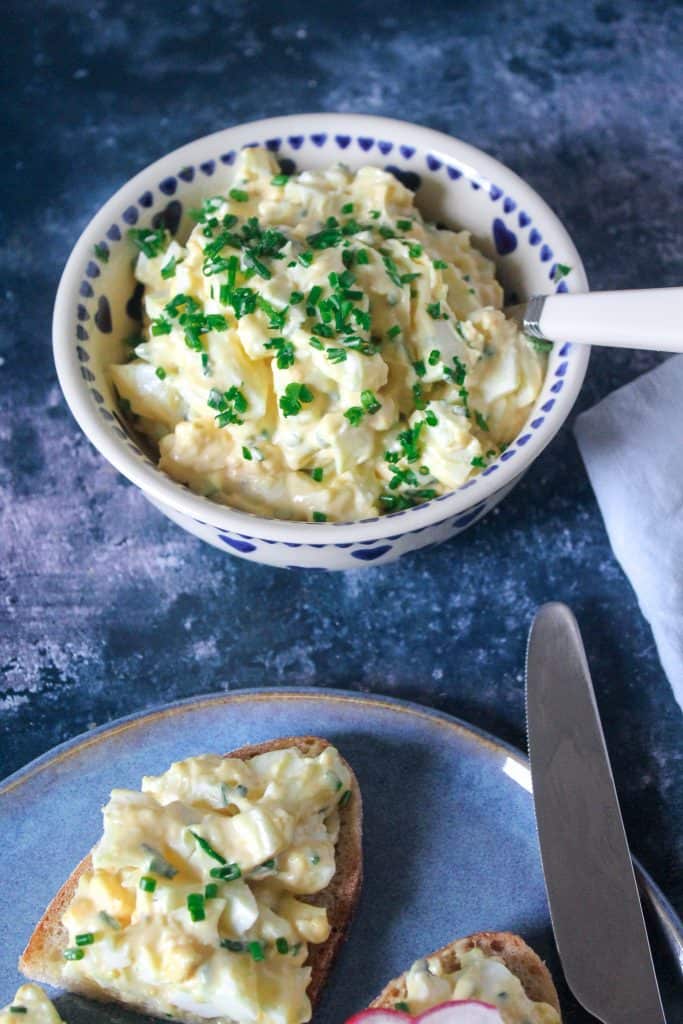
450	838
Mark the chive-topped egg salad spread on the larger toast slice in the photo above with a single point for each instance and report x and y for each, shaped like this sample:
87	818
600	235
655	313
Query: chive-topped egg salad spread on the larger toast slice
194	901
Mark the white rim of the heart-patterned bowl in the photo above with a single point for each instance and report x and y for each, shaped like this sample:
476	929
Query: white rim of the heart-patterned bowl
163	489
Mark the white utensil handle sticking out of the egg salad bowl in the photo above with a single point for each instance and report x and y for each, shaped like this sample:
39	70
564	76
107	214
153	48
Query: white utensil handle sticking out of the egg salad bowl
648	319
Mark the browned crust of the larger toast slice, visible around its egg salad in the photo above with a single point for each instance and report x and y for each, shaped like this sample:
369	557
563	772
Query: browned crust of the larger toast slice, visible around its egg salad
42	960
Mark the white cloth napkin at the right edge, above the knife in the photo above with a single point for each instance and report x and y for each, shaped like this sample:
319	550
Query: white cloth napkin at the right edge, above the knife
632	444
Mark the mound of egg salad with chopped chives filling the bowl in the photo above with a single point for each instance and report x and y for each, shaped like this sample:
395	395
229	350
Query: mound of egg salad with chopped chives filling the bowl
316	351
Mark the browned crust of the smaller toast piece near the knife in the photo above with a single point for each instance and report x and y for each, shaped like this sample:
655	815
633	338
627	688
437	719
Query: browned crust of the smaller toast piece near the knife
514	952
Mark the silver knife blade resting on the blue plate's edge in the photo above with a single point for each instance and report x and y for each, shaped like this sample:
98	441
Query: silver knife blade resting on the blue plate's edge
594	907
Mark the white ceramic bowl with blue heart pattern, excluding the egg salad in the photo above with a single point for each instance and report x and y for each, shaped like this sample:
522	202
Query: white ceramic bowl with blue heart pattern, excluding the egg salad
98	306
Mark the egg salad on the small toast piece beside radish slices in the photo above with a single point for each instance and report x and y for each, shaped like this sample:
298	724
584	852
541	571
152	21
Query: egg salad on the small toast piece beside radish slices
479	977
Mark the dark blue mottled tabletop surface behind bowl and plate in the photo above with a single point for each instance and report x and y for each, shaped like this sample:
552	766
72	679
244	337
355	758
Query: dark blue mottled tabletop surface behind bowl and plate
107	608
